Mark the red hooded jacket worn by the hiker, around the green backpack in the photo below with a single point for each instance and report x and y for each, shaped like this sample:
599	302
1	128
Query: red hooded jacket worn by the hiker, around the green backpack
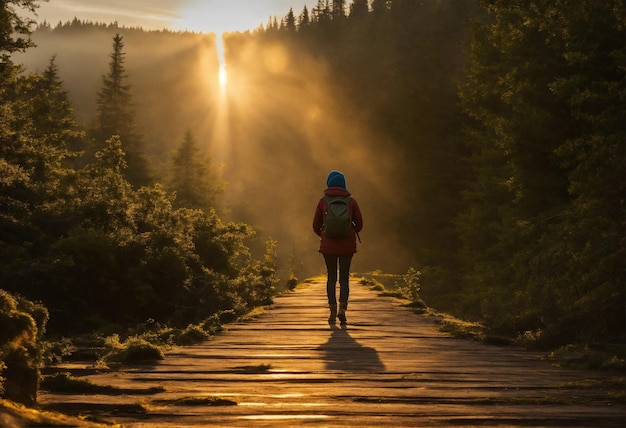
337	247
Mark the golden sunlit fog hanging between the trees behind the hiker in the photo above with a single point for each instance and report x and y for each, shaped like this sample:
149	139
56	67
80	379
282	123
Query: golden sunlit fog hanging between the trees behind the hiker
275	142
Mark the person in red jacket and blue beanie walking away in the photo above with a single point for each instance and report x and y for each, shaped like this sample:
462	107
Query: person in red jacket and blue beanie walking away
337	247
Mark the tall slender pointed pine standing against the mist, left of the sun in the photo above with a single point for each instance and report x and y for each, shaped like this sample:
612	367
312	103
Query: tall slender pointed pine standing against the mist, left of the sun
116	116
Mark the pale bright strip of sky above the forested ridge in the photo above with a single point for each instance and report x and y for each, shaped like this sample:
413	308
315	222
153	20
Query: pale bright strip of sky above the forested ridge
207	16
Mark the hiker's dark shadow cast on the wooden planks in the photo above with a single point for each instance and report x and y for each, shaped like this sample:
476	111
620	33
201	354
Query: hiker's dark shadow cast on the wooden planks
343	353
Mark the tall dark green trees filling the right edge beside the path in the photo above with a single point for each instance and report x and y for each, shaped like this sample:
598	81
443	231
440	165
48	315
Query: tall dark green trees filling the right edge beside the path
543	219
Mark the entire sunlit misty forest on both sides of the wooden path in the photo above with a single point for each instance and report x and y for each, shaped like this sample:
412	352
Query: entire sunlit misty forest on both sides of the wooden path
484	141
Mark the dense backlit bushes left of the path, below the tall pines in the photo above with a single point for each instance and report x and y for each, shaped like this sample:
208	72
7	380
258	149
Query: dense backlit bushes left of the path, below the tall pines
110	254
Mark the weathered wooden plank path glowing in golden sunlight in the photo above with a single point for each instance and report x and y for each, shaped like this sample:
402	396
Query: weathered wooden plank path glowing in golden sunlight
388	367
